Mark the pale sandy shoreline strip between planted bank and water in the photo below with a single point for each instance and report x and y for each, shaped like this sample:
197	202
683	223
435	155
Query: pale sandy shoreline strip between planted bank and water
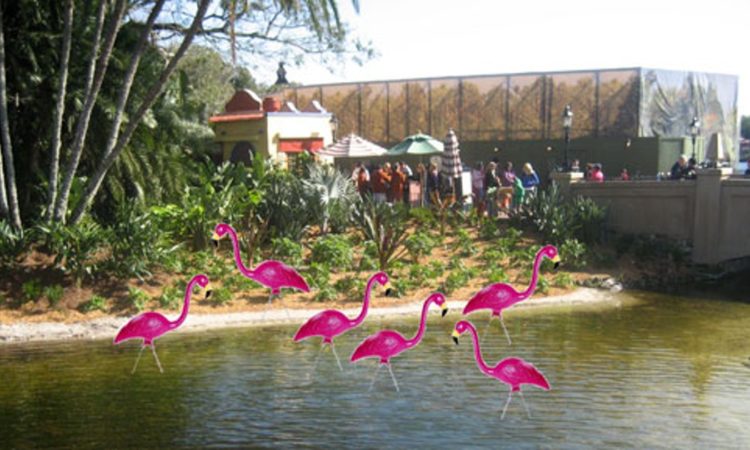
107	327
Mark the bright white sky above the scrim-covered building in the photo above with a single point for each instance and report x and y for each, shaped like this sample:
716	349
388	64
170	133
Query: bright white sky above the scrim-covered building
431	38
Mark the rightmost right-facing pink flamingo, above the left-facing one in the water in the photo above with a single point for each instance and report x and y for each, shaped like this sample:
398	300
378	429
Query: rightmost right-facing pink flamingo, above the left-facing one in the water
500	296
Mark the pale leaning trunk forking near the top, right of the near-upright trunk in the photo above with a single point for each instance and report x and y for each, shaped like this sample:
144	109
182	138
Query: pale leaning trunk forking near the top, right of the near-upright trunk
96	70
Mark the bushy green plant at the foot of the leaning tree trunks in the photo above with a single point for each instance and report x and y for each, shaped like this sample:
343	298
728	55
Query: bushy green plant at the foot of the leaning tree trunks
76	247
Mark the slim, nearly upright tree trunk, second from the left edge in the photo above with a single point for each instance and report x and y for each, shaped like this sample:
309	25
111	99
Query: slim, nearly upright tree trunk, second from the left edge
59	110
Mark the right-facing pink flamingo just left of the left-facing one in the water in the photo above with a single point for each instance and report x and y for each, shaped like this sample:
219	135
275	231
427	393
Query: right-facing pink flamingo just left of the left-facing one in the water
386	344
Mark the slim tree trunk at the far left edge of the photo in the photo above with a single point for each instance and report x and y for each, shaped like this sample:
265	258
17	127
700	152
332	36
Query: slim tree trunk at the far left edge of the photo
9	186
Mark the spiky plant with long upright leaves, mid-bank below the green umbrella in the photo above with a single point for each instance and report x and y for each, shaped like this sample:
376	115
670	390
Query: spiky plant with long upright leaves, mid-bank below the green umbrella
386	226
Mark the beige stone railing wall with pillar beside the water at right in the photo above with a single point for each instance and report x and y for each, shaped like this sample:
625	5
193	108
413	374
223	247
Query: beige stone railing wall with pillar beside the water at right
712	211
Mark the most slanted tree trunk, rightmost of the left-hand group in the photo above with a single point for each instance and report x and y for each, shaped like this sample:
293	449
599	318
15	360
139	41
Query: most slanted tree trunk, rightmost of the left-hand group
95	182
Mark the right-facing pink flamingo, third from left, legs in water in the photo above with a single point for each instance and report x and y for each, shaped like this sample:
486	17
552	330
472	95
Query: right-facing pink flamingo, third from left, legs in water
331	323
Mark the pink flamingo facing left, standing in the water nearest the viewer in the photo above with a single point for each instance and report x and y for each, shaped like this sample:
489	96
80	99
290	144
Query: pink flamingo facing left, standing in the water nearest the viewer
512	371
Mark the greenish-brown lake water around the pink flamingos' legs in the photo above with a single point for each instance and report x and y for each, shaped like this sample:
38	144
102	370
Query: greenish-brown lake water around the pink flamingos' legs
652	372
